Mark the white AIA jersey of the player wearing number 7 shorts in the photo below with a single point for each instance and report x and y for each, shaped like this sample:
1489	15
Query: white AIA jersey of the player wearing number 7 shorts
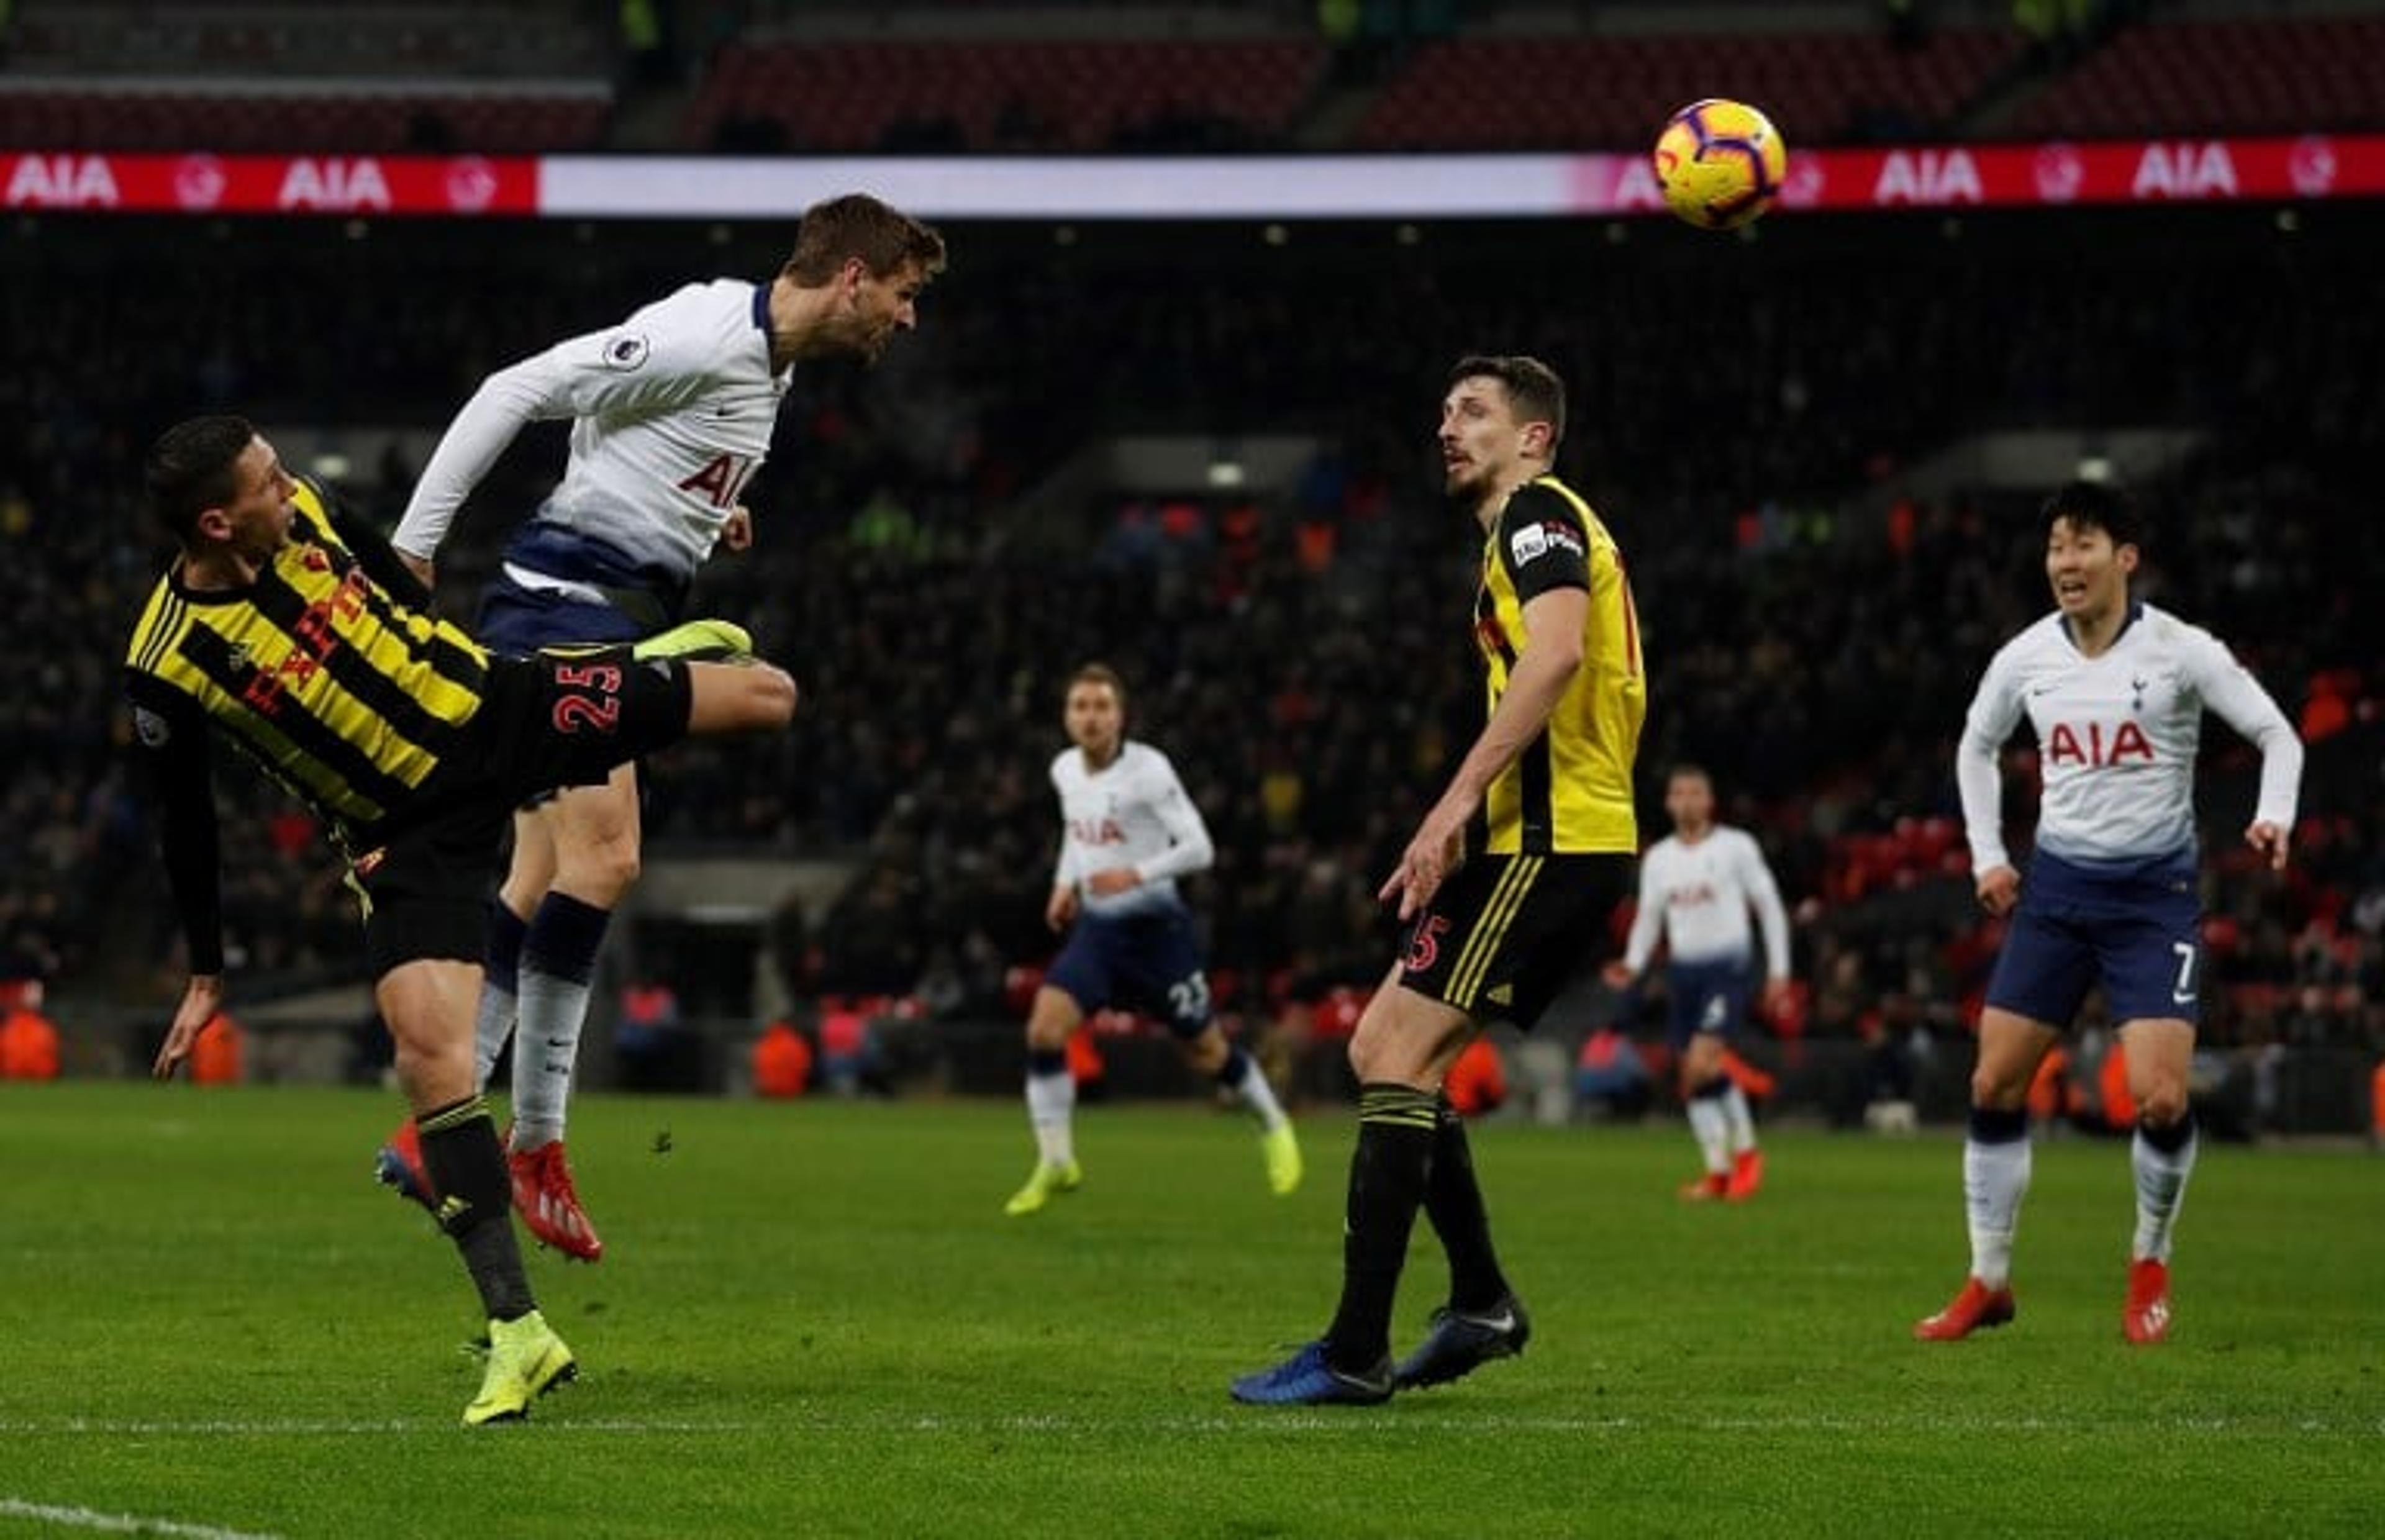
2117	738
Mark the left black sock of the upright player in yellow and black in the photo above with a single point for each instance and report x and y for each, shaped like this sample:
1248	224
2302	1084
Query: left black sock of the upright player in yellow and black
1387	1186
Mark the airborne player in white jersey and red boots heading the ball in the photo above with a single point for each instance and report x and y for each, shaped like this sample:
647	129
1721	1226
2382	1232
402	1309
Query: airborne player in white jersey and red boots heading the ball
671	416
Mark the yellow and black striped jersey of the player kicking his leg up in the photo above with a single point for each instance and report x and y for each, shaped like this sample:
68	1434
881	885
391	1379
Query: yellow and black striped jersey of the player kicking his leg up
340	690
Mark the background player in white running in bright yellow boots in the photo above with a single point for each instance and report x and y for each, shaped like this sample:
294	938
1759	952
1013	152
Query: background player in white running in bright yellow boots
1129	833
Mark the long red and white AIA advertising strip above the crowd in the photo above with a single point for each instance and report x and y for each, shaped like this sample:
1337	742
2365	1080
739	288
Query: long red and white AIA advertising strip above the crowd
1246	187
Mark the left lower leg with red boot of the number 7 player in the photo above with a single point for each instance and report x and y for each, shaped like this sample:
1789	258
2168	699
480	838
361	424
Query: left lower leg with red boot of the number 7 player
1995	1172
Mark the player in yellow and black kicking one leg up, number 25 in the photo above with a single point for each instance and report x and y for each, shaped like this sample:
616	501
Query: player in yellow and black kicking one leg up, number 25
295	633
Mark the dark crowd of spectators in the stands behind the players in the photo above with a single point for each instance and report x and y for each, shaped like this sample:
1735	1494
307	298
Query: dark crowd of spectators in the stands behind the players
1301	652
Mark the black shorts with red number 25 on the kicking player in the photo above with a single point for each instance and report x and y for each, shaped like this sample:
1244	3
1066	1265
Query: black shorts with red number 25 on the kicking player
545	721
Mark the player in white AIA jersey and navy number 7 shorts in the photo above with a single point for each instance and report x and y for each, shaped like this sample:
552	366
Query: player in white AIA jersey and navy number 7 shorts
2117	693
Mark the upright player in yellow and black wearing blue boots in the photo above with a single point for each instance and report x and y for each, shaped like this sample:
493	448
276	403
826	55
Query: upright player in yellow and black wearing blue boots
1506	888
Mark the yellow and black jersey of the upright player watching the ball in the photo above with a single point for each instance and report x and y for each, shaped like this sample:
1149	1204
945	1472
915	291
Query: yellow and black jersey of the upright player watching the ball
1571	790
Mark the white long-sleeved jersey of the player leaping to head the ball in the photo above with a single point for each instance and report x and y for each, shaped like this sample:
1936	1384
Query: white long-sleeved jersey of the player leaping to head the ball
671	418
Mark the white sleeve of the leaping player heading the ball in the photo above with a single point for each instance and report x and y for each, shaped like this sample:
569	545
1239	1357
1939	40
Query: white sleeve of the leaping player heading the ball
628	371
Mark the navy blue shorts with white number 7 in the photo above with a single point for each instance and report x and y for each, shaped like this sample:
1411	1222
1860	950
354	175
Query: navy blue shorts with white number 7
2133	929
